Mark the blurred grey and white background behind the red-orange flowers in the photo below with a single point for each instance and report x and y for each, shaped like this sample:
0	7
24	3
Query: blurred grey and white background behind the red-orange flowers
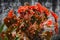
6	5
